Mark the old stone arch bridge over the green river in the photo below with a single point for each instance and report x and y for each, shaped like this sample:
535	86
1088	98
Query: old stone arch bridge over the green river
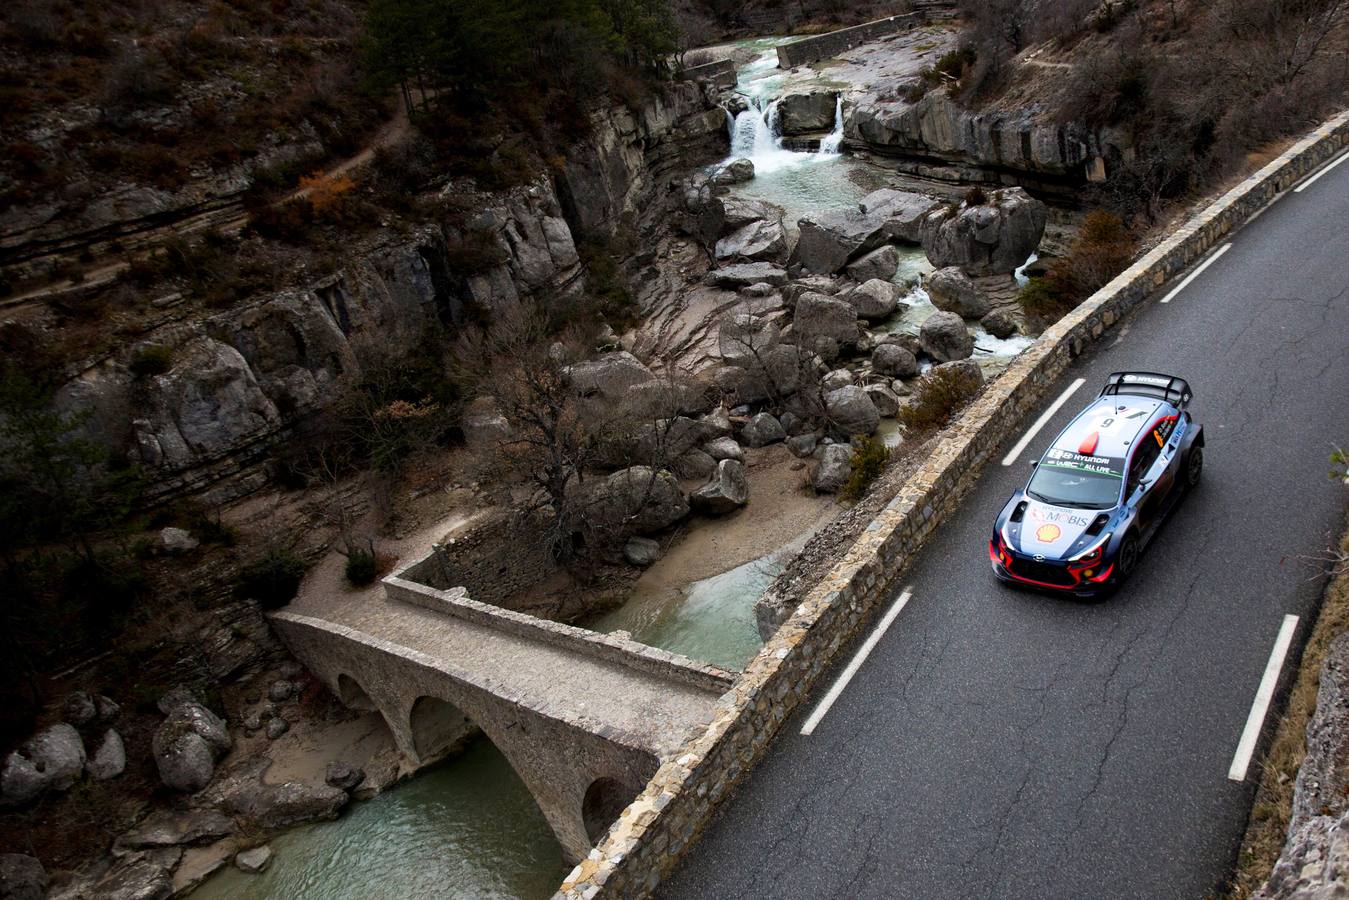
583	719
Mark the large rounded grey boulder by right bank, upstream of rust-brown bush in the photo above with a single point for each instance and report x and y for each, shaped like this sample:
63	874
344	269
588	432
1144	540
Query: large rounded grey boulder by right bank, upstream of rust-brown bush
987	240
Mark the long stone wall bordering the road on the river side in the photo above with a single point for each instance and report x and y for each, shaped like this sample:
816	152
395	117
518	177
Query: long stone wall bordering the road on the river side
652	835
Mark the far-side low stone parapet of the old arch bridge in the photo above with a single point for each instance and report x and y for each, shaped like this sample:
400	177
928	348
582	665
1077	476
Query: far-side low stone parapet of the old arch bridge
602	647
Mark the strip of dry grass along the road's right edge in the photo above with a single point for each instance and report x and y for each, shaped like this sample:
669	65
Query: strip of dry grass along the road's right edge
1269	825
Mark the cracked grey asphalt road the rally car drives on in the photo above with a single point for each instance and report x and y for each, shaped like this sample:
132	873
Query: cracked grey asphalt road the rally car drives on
1004	744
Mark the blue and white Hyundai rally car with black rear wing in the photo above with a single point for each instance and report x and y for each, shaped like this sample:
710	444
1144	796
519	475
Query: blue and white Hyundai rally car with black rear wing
1103	489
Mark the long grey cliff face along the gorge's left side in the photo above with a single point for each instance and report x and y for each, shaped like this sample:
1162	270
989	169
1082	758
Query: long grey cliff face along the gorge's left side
242	380
